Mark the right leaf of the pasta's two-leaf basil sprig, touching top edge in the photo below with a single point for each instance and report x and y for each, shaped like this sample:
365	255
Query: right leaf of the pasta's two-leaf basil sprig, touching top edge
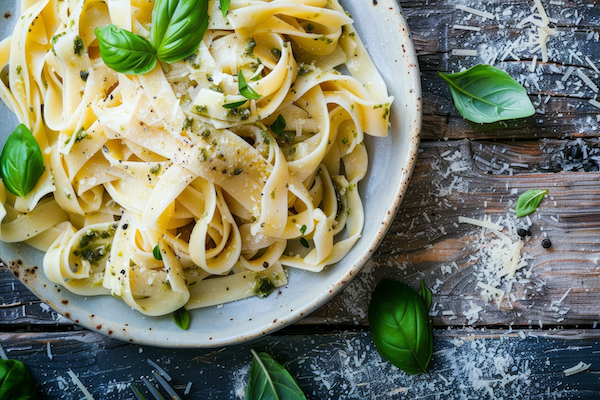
178	27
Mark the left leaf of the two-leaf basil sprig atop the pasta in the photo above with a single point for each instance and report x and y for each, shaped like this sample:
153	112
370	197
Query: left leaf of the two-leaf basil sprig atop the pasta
125	52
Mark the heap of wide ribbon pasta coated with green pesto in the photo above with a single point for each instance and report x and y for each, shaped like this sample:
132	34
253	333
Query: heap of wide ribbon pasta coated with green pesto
164	161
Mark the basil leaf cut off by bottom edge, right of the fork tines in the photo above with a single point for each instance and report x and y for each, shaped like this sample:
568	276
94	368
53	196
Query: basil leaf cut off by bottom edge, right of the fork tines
270	381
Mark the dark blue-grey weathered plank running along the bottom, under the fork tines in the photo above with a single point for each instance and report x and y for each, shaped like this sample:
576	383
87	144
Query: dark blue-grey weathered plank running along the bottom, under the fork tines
344	365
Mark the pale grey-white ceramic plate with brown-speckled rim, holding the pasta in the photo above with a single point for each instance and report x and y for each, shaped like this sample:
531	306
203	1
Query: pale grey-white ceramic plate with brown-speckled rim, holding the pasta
383	29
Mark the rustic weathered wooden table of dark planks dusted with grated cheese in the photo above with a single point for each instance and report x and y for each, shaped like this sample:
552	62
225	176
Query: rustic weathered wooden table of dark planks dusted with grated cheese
517	349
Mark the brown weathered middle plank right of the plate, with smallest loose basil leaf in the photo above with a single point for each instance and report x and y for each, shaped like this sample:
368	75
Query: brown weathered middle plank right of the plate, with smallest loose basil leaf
425	241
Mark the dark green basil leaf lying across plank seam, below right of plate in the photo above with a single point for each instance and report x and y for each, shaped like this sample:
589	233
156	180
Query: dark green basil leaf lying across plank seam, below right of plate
400	326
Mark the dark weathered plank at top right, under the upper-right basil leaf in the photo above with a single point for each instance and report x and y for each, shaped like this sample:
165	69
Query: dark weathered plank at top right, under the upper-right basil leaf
565	113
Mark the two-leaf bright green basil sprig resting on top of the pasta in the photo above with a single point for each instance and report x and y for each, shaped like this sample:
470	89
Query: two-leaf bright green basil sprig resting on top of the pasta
177	30
